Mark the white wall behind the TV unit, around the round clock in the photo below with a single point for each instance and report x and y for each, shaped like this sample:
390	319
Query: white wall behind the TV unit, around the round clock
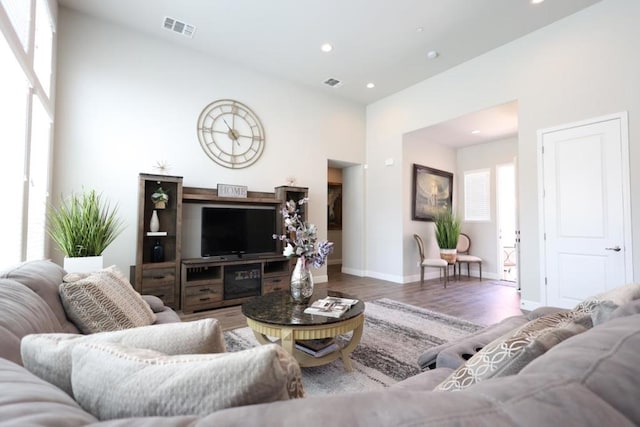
126	100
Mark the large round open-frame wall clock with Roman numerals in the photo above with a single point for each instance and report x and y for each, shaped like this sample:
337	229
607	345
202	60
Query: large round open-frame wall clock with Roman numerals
231	134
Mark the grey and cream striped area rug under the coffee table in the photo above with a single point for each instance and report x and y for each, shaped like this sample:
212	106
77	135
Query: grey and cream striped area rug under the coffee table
395	334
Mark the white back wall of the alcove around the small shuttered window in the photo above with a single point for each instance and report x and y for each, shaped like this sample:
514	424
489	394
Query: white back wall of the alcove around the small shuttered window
484	235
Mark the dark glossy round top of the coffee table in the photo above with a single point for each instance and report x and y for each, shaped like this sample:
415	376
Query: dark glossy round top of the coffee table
278	308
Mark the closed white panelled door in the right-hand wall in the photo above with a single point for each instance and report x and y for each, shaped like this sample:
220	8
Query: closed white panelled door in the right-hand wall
587	236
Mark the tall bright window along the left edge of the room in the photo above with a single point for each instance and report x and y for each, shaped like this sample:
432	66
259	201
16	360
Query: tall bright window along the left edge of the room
25	108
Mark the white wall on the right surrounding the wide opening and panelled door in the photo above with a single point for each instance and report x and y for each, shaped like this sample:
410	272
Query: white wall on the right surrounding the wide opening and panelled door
586	65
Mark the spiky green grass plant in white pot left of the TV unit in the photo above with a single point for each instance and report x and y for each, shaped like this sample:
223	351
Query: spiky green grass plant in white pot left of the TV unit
82	226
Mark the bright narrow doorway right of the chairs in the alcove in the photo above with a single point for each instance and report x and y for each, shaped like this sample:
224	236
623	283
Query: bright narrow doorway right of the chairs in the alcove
506	219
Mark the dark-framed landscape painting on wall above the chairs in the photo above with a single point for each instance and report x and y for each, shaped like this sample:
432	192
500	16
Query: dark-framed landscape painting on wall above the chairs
432	193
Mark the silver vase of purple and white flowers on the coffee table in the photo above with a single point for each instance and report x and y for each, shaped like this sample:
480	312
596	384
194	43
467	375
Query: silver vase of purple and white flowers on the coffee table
301	241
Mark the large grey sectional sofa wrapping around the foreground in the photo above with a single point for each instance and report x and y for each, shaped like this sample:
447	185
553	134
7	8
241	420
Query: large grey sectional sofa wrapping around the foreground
589	378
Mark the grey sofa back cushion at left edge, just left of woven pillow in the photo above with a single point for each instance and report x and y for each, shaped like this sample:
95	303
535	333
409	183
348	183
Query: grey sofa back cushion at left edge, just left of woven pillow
22	312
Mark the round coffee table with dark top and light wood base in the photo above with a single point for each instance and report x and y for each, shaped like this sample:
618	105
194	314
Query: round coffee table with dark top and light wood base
275	315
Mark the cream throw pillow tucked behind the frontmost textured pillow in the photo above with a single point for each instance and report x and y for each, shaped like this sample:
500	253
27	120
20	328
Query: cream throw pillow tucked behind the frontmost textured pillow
49	355
